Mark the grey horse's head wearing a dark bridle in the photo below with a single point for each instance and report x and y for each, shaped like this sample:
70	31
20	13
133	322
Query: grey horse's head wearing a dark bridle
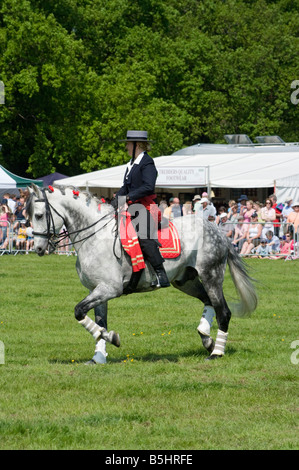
45	219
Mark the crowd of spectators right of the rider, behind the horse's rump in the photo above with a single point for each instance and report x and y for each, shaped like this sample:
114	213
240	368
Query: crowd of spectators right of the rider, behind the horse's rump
255	229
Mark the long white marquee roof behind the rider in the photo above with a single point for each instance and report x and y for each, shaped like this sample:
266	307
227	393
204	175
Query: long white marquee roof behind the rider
229	166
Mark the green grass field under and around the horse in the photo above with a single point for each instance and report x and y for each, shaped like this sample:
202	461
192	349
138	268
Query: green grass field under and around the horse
157	391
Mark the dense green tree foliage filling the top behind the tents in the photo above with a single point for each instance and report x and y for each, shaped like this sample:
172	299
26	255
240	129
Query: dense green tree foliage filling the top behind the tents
79	73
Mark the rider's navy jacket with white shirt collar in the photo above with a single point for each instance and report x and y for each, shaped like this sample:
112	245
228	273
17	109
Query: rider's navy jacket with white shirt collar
140	178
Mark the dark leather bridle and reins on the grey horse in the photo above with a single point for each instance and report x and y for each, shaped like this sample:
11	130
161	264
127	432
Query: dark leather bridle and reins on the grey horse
54	238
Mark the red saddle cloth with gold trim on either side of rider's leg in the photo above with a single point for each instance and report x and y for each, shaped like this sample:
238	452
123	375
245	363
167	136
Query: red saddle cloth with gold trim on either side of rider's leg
167	236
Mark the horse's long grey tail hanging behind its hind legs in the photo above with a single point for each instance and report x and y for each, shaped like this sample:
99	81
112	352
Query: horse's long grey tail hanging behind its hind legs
244	285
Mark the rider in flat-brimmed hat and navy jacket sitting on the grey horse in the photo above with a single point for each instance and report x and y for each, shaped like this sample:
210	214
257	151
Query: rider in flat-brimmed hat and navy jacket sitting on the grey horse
138	187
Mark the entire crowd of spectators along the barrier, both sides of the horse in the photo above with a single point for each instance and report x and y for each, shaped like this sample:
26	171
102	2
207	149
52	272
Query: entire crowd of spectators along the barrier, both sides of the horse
264	230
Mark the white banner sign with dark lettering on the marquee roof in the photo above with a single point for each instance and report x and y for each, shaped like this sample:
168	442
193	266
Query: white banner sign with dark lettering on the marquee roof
181	175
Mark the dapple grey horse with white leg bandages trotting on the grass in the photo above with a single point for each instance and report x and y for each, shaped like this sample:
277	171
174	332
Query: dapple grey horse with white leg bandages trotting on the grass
105	269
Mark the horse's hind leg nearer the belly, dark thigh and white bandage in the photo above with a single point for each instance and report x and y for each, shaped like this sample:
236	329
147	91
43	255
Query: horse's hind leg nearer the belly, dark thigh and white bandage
195	288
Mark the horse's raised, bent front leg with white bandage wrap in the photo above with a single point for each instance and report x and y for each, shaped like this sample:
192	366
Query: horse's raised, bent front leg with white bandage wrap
95	298
